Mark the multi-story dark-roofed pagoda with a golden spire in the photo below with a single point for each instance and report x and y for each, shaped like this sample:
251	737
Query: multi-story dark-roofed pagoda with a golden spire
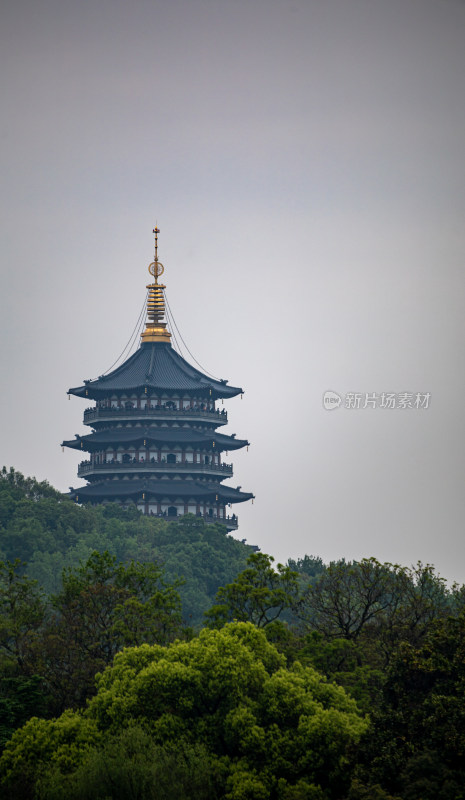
154	439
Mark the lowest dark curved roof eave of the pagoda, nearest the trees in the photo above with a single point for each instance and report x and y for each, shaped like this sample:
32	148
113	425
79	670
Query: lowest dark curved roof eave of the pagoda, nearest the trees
157	489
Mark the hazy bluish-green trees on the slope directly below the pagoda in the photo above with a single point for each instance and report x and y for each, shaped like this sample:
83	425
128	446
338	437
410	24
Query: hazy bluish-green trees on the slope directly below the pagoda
49	532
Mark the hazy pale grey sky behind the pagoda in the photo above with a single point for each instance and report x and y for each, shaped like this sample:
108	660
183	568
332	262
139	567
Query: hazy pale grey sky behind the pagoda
305	161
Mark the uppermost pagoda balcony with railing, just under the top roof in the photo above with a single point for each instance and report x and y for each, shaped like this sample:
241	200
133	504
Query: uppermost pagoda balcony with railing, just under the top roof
106	414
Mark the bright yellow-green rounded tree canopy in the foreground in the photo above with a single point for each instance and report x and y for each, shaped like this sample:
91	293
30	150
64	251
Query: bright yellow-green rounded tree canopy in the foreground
253	727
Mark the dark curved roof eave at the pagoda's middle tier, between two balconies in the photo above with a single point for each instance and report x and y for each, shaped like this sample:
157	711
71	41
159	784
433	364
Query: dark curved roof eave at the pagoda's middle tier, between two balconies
93	442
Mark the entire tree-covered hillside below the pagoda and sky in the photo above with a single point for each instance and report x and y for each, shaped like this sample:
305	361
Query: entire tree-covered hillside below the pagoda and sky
153	660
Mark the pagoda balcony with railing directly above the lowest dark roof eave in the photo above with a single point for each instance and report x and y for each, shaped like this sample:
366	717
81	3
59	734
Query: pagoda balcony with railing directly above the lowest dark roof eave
86	468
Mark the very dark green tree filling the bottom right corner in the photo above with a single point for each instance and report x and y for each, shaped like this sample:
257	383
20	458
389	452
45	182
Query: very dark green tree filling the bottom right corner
416	746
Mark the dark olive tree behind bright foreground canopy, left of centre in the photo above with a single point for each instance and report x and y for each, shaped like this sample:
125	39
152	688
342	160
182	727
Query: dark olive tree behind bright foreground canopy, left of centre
102	607
